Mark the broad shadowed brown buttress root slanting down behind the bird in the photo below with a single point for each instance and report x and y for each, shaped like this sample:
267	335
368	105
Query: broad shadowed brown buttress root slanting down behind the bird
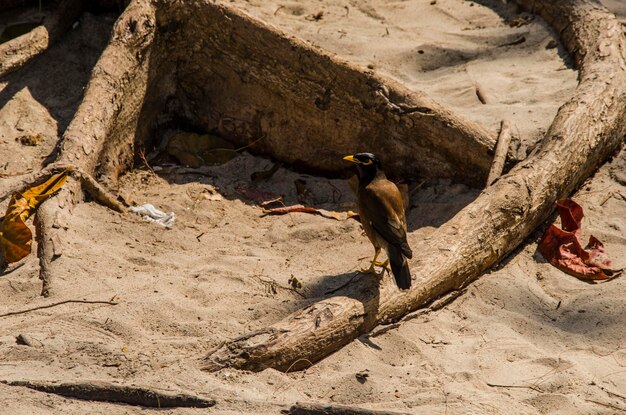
244	79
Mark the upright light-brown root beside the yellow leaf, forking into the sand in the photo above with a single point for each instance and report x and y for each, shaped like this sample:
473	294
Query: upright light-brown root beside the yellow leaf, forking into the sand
106	118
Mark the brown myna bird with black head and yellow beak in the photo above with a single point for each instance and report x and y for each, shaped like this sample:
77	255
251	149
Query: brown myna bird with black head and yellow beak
381	210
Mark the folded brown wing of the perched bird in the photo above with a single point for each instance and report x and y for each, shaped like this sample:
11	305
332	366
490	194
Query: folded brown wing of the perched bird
381	203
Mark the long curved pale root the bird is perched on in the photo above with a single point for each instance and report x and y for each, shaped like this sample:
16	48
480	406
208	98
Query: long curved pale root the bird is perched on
587	129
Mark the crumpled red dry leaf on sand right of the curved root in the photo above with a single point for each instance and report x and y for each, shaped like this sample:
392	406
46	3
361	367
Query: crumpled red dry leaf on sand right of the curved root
562	248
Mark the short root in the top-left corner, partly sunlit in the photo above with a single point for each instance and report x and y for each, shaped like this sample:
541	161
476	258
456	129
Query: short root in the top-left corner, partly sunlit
19	51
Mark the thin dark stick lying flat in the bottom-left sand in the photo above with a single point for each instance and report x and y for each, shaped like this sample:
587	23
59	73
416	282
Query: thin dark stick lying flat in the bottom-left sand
108	392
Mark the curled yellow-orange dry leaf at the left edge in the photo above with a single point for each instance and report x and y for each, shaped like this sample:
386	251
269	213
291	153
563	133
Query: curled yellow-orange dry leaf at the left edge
15	237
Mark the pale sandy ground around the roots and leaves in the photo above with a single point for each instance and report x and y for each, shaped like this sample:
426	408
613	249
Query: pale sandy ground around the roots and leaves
525	338
